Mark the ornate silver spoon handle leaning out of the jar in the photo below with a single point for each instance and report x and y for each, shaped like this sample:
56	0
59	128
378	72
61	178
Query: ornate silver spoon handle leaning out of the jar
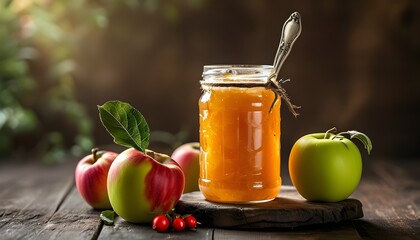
291	31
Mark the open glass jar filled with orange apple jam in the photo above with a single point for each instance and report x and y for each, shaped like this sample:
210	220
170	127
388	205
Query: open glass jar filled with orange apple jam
239	135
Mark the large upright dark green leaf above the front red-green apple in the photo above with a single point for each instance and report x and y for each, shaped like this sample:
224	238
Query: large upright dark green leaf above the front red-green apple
126	124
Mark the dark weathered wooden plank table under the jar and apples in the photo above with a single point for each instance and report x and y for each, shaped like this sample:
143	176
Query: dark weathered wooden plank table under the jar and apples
41	202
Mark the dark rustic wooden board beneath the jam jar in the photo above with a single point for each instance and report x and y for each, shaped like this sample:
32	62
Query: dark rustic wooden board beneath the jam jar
288	210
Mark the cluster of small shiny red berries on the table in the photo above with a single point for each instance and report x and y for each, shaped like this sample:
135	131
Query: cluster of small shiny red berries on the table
162	222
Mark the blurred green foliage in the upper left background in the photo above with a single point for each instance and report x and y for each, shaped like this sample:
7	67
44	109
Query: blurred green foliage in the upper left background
37	93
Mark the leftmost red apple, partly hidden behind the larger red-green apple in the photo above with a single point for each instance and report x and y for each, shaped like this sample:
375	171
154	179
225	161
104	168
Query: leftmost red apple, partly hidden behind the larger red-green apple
91	178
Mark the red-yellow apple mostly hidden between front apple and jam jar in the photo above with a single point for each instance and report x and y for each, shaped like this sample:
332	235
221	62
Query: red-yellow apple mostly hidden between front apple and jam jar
187	156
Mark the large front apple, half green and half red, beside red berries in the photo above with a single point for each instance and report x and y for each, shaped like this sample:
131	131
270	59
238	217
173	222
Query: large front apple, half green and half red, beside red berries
141	185
